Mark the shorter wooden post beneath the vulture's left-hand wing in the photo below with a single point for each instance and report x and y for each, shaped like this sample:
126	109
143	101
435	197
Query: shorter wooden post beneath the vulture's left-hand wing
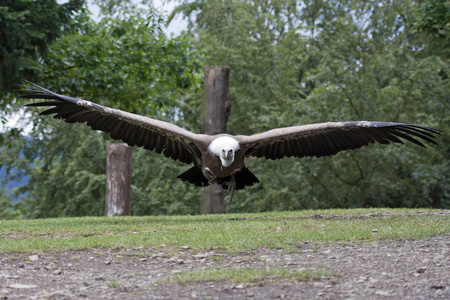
118	180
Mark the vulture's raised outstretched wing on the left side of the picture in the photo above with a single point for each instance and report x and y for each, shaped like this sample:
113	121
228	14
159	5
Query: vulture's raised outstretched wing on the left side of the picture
135	130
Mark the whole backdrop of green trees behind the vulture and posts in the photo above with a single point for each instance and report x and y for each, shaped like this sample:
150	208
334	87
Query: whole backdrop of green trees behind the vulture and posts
292	63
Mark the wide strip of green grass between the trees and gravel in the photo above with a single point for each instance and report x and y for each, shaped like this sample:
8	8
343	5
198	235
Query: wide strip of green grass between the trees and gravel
233	232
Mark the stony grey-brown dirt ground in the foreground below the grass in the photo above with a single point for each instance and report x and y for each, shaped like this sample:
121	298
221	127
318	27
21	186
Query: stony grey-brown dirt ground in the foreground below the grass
388	269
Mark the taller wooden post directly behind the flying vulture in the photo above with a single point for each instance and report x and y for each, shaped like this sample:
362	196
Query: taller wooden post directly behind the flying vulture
216	110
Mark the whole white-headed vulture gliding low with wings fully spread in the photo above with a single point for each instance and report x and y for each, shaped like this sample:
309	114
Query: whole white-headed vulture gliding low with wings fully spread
220	158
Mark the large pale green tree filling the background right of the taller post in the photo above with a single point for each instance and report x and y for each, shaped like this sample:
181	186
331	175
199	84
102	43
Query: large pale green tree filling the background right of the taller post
316	61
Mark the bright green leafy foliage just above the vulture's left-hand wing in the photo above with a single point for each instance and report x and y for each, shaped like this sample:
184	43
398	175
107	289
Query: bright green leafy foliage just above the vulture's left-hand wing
128	63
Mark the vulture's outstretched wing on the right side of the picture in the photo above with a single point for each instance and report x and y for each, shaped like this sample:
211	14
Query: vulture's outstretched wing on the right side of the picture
327	139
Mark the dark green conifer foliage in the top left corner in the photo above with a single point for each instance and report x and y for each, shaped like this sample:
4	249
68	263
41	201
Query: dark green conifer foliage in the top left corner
26	30
